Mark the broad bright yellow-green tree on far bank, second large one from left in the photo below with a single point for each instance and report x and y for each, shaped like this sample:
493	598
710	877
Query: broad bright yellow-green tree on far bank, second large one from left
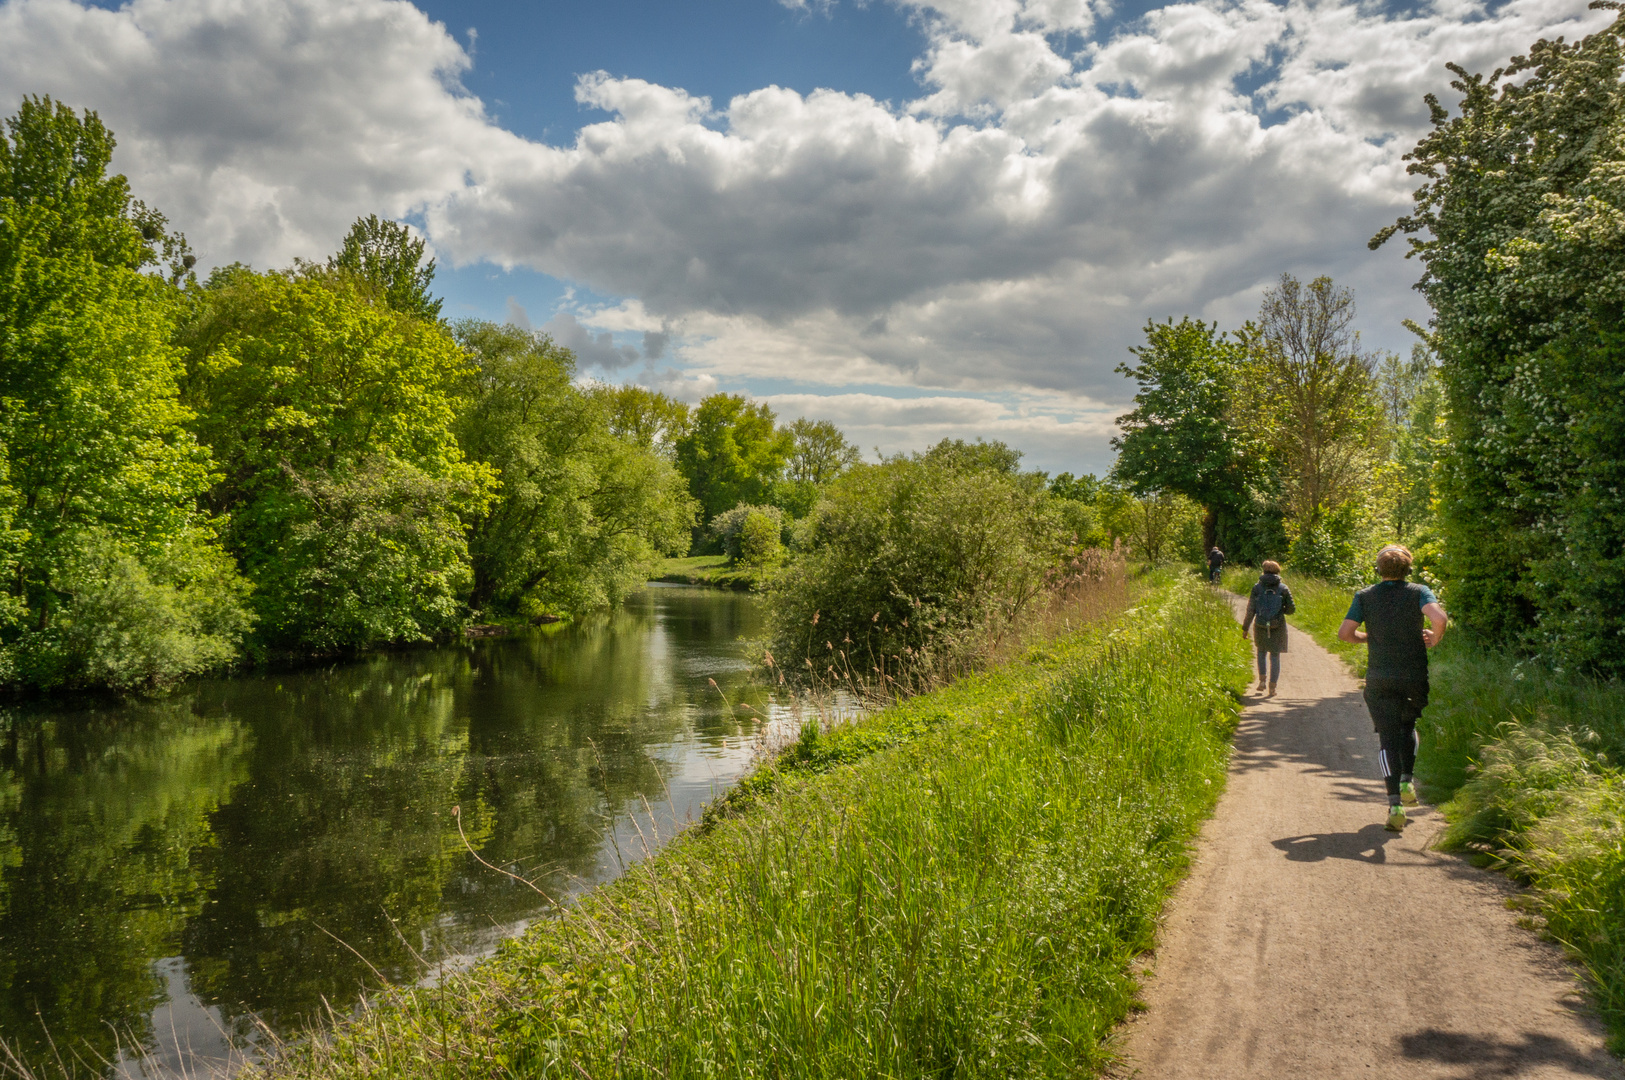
331	417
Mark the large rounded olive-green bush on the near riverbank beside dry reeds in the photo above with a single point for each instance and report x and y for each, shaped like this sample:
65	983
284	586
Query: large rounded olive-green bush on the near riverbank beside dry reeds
911	561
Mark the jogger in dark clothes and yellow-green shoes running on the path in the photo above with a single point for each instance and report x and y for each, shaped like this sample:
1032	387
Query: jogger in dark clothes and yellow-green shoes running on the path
1397	641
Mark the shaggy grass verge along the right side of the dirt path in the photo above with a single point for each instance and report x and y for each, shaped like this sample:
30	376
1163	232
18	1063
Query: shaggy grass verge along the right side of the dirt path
1525	762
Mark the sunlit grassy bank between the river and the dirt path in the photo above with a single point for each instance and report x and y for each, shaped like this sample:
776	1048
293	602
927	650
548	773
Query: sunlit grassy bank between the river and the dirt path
956	884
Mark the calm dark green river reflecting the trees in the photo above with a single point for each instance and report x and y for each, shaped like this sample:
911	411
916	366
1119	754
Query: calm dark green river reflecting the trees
175	871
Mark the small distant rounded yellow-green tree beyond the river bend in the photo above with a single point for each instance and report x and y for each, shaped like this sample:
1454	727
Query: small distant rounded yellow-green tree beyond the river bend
732	454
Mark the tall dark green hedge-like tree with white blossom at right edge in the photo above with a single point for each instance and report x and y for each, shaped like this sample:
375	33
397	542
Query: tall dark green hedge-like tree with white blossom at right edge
1522	204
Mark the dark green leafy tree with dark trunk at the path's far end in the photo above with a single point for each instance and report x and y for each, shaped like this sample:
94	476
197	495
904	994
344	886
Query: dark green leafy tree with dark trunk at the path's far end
1185	434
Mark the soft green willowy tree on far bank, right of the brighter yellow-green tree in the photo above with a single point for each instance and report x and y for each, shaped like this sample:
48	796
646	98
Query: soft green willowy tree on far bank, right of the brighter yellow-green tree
584	511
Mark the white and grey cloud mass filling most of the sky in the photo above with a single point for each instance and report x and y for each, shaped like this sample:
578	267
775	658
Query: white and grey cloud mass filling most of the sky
1007	235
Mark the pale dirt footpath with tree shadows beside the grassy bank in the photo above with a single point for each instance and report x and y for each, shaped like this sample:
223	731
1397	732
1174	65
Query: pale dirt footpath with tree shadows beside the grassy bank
1312	943
